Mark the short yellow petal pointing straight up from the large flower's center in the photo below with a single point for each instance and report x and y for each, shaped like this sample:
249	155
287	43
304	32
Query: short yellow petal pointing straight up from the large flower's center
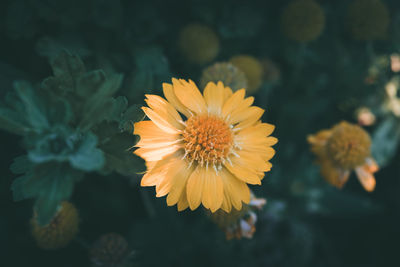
214	96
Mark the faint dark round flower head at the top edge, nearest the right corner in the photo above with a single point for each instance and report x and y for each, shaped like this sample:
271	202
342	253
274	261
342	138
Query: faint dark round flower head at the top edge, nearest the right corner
368	19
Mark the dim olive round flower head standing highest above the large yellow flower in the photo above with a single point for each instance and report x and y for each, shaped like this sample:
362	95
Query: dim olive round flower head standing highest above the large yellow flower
198	43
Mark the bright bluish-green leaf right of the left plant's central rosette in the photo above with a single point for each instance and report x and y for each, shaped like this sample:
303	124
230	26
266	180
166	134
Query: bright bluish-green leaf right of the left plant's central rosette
88	157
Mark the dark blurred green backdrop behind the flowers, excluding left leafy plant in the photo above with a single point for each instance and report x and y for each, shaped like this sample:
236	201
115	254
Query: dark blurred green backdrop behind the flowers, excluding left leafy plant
321	84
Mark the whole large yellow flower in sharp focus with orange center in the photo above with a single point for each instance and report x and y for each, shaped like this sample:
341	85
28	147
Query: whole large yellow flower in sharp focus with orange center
209	156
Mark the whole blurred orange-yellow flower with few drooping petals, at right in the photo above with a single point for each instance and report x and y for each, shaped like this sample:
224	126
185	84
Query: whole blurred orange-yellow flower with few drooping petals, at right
340	150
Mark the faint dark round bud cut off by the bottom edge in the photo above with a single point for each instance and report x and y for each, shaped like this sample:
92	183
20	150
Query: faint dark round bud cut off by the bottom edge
110	250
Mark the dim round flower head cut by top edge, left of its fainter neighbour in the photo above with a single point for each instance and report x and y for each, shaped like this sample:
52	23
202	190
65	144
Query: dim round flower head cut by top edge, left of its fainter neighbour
303	20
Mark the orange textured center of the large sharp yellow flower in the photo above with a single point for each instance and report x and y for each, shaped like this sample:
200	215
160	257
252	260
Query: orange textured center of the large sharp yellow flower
207	140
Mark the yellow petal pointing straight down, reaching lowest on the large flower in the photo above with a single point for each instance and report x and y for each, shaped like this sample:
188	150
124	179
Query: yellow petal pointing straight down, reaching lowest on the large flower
213	193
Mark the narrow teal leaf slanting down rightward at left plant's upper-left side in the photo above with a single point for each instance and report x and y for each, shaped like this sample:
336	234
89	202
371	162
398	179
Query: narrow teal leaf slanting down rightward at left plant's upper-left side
34	109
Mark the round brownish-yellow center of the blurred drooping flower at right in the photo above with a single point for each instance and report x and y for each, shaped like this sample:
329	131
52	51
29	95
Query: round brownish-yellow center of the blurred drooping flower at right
348	146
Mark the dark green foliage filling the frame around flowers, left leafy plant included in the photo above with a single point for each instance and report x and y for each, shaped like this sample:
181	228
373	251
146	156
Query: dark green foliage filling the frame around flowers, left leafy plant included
78	123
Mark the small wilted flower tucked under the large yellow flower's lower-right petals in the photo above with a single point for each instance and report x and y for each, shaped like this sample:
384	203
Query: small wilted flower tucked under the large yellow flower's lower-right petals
239	223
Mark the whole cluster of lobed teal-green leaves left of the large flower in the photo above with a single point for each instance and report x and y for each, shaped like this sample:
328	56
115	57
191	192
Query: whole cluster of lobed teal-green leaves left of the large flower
58	120
